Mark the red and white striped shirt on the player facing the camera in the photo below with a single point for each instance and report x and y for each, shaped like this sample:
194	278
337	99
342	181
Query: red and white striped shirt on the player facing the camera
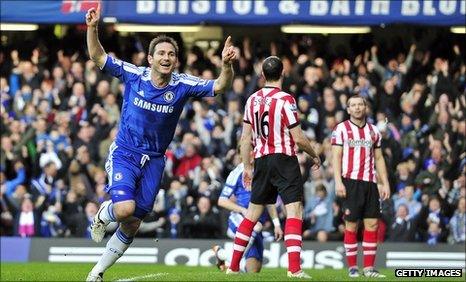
359	143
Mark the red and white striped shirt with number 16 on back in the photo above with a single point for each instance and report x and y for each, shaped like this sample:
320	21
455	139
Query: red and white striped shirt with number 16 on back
272	113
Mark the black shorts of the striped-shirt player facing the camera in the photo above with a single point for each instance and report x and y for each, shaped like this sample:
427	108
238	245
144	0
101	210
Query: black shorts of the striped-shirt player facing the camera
362	200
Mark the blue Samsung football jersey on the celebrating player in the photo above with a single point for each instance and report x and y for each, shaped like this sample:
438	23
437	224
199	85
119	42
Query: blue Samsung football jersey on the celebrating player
149	114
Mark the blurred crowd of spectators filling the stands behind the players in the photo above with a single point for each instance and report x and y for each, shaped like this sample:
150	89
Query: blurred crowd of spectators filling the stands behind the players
60	113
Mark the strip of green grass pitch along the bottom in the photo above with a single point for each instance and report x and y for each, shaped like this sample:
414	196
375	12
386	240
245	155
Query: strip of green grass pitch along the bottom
39	271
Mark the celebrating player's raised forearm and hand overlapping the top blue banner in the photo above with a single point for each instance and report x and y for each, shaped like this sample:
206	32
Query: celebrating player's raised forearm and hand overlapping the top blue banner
96	51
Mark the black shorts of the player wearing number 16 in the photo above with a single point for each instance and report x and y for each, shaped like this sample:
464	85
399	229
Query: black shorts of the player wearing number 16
276	174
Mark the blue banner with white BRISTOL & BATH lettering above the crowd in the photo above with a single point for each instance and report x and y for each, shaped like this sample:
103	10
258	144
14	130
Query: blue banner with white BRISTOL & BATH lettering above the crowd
241	12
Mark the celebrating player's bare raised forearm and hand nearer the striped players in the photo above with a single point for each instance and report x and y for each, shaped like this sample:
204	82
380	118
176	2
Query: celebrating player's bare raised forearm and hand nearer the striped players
225	79
